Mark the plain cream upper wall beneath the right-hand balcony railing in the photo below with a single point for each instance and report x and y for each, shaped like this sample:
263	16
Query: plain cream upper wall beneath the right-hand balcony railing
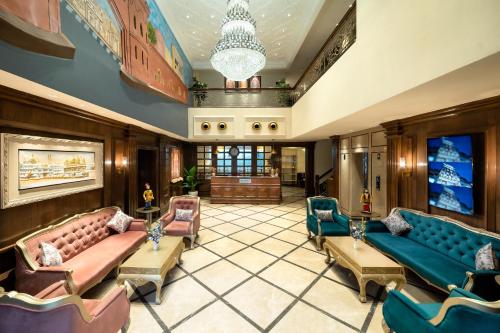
400	45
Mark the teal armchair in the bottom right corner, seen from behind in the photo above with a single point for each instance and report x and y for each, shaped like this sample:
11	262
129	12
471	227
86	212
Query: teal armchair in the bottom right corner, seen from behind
462	311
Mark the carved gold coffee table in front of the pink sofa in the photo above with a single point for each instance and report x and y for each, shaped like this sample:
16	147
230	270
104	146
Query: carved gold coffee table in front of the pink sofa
148	265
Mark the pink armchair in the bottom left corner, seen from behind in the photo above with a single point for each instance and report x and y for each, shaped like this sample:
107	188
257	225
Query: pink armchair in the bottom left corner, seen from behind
52	310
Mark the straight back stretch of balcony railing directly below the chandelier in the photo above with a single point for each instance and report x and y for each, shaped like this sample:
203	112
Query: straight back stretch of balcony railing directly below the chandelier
241	98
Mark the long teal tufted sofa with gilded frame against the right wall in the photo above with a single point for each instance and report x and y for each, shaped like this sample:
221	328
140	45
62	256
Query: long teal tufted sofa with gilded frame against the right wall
440	250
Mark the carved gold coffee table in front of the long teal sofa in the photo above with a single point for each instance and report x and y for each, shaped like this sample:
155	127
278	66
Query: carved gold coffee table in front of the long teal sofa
365	262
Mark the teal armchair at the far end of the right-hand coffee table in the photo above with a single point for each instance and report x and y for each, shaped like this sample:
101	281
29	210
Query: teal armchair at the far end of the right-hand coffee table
338	227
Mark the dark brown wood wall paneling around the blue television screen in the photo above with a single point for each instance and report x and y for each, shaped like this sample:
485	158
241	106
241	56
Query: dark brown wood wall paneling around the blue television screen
481	118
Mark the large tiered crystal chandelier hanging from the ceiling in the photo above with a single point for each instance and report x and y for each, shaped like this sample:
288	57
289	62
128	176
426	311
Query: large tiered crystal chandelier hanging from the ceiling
238	54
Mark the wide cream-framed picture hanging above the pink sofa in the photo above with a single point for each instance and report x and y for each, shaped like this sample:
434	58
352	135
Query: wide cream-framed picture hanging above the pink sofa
39	168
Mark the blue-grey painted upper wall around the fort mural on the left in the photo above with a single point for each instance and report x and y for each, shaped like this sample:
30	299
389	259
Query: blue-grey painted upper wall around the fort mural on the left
93	76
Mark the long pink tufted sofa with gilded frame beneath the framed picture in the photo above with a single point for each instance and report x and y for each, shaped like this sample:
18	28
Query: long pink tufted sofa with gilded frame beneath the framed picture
90	250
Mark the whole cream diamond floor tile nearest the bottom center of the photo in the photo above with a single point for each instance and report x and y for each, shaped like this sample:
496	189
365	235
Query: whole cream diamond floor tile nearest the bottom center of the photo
259	301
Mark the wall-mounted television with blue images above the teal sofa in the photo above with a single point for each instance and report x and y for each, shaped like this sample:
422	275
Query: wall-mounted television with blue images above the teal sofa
450	173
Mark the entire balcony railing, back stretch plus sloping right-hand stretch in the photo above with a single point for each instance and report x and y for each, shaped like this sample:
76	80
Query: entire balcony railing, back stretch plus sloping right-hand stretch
337	44
